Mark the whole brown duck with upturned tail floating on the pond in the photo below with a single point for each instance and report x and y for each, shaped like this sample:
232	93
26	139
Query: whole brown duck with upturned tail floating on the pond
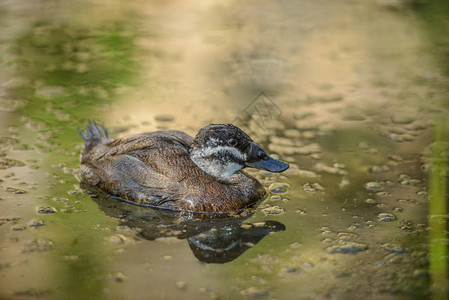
171	170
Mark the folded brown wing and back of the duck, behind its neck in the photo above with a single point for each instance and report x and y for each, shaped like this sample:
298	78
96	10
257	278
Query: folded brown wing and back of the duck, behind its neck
142	168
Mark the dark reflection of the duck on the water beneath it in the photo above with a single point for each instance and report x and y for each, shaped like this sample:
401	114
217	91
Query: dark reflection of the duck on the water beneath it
212	240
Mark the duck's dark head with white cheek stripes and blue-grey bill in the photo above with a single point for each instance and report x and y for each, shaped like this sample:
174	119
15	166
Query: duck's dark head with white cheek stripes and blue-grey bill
221	150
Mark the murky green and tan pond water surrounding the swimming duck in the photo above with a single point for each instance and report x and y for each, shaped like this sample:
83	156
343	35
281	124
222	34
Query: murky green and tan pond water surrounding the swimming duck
353	94
